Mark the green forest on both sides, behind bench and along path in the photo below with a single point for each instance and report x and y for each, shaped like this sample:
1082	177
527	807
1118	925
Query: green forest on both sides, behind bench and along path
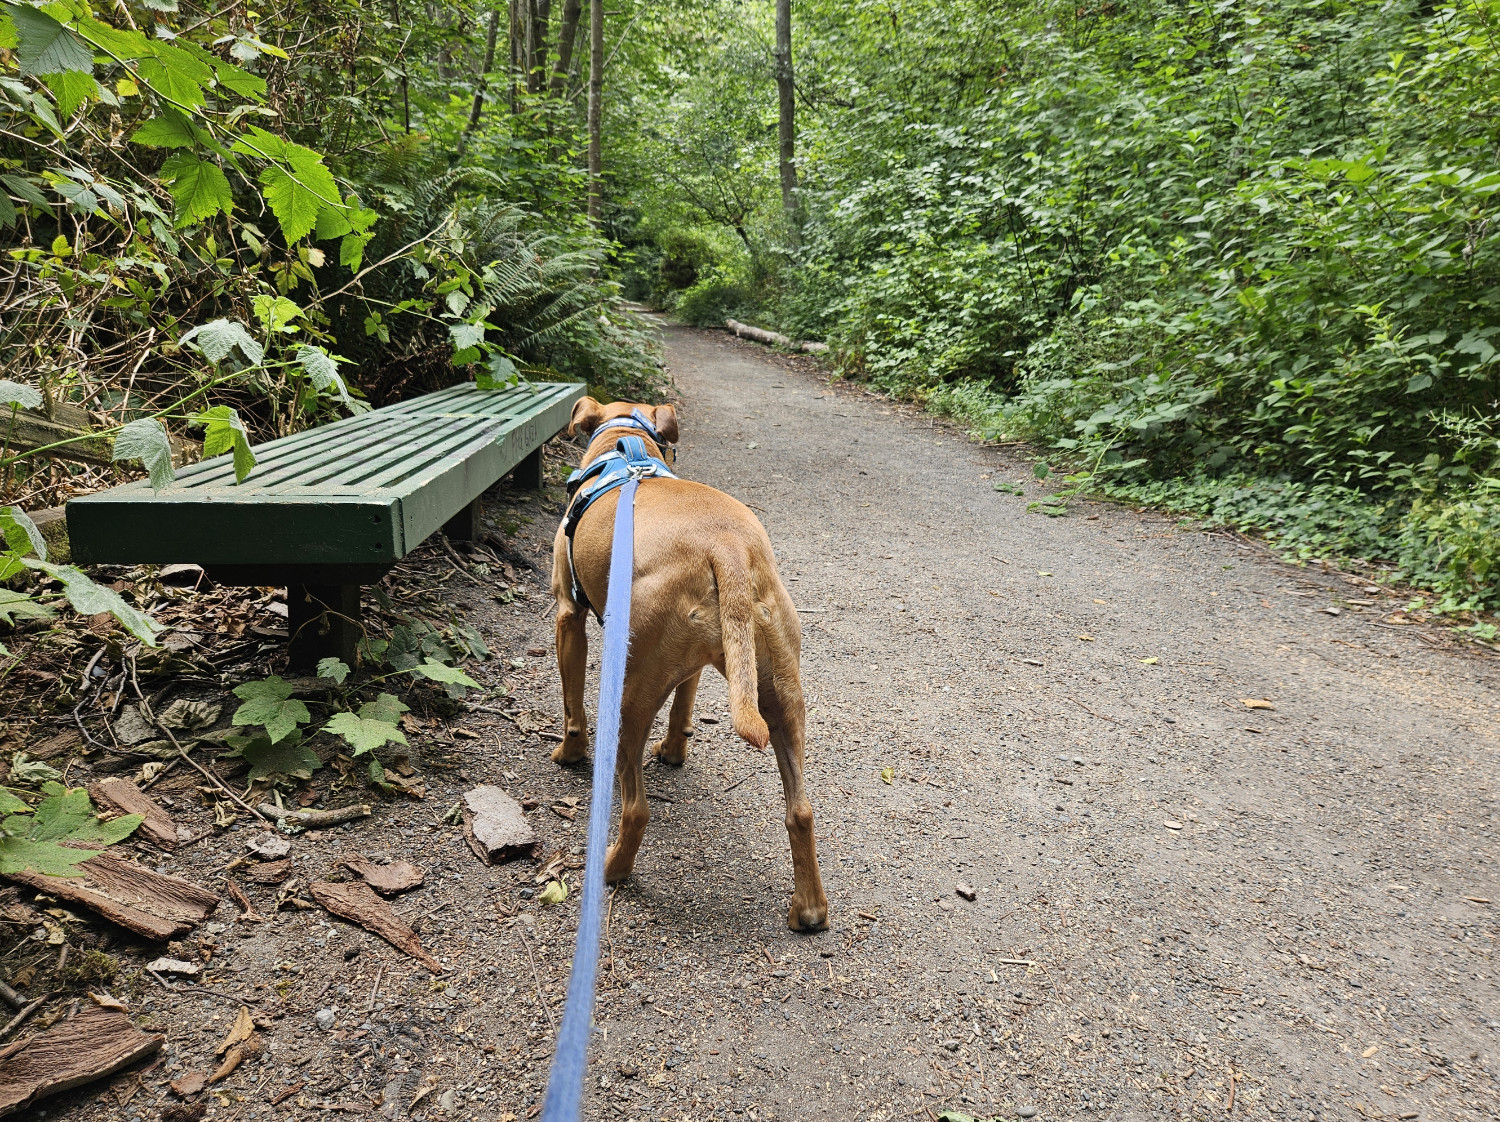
1235	259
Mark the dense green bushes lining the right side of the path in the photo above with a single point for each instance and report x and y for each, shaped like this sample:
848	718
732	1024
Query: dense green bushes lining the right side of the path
1235	260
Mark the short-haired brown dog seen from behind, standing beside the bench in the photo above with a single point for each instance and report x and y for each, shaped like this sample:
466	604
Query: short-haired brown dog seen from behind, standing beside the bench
706	595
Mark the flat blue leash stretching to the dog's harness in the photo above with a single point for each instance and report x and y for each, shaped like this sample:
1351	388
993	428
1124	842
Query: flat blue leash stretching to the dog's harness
565	1102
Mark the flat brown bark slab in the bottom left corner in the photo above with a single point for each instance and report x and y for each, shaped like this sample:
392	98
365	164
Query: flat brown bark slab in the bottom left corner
94	1045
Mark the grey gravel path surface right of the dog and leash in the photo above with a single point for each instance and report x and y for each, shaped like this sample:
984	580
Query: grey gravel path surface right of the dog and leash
1180	901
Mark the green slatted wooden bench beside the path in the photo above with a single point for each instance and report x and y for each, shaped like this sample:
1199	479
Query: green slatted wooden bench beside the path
332	509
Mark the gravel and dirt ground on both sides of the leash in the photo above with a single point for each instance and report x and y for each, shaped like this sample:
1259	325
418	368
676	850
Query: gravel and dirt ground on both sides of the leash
1181	905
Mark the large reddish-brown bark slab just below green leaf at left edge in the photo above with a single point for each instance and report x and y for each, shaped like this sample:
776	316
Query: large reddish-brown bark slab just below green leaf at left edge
155	905
